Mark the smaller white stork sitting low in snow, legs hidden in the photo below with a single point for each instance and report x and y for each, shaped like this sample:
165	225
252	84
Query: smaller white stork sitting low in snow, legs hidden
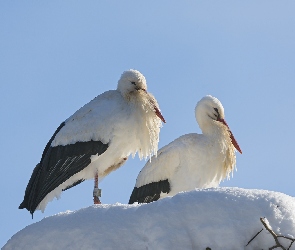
192	160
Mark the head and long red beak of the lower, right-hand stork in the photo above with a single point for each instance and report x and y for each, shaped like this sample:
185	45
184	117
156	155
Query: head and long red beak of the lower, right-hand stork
208	111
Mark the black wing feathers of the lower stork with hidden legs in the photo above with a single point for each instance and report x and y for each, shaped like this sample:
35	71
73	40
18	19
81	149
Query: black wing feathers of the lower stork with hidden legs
149	192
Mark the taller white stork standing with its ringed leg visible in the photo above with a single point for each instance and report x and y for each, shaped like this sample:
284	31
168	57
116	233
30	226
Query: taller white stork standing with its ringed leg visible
96	140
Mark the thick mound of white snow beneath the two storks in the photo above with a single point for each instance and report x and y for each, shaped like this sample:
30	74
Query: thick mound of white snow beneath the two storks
219	218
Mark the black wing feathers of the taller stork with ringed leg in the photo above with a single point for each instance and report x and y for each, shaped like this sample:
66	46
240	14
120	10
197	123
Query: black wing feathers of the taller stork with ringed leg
56	166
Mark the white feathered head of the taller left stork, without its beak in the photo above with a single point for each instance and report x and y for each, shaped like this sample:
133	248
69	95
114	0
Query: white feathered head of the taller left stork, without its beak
130	81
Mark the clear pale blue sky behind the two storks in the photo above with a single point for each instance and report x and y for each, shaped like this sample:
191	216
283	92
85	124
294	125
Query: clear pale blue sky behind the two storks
55	56
